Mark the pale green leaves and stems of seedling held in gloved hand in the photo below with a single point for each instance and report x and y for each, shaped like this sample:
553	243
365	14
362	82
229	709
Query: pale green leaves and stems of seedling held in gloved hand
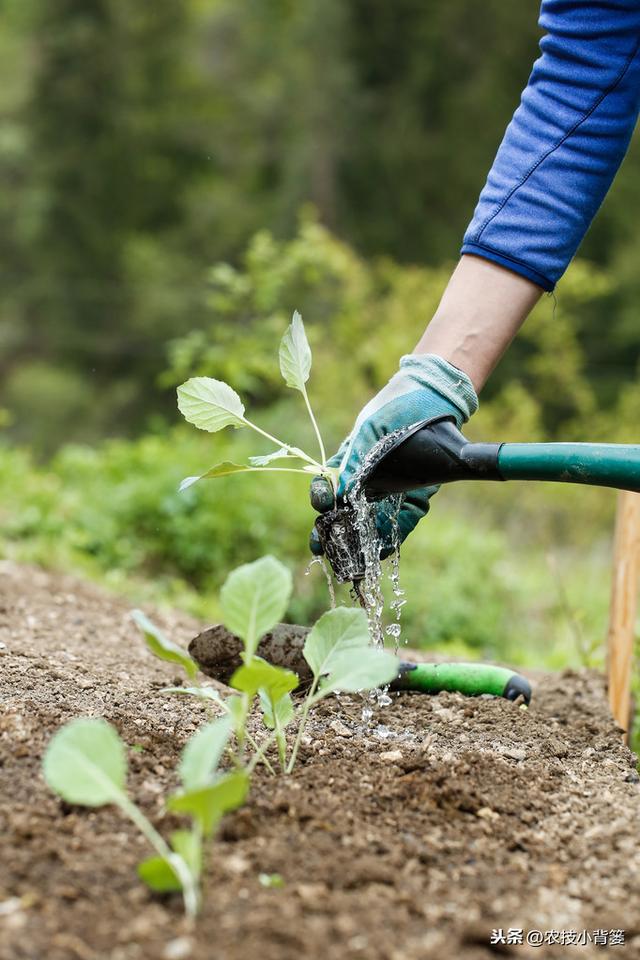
212	405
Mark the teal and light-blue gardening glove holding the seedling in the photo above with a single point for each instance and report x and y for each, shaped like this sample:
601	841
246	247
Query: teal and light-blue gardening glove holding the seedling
426	386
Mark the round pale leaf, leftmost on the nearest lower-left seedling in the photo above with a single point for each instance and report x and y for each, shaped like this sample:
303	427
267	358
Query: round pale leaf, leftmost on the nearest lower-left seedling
86	763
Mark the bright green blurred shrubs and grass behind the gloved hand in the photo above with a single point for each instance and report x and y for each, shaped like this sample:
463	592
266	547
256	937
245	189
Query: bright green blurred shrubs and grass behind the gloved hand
509	571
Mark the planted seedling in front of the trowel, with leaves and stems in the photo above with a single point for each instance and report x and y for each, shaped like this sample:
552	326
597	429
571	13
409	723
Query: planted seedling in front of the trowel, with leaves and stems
253	599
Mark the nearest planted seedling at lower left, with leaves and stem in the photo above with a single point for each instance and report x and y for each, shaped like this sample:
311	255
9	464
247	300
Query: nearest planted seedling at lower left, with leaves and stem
85	763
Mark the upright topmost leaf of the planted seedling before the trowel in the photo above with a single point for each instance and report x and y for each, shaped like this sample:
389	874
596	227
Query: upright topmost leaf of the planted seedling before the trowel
254	598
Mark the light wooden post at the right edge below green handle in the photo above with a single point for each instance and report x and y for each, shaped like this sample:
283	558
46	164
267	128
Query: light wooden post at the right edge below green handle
622	614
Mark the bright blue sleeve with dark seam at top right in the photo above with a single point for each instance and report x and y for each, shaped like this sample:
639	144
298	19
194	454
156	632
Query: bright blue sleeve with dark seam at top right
565	142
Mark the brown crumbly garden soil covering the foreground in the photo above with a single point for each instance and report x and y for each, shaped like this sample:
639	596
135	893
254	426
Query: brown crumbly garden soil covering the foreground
468	815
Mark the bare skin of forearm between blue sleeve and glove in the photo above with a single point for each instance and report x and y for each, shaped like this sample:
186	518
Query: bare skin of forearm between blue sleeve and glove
481	311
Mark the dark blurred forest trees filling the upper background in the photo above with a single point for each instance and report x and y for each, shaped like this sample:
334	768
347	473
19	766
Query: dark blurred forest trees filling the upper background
140	145
